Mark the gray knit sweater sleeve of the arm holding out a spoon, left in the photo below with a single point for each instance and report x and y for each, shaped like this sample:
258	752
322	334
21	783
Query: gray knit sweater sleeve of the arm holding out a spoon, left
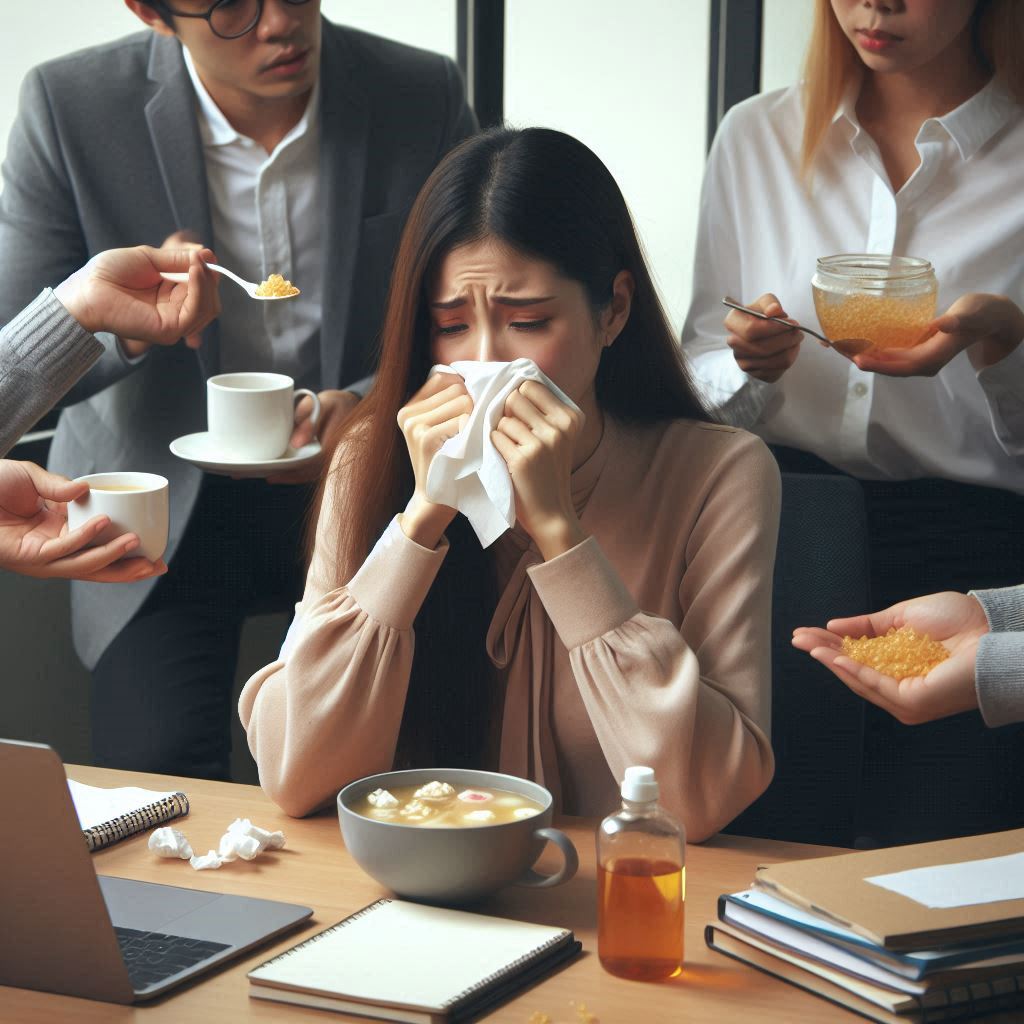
44	352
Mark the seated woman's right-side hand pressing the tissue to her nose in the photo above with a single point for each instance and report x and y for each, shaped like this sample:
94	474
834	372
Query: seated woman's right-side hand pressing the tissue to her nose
537	440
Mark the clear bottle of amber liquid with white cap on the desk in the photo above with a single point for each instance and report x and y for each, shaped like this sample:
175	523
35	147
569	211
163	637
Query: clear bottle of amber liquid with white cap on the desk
642	885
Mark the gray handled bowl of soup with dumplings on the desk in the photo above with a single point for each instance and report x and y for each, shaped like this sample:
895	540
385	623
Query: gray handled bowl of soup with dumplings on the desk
451	836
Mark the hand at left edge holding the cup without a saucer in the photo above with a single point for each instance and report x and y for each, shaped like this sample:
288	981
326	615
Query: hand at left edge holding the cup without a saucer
34	536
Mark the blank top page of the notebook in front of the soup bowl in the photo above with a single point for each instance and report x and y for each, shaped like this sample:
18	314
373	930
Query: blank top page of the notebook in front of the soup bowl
396	953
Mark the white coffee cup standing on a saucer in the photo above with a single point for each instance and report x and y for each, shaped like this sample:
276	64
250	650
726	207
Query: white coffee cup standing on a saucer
250	416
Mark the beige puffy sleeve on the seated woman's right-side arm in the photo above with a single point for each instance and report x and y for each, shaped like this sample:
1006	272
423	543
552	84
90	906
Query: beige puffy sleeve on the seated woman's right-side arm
693	703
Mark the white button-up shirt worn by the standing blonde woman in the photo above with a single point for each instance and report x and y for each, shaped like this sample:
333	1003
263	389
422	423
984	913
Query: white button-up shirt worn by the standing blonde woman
762	232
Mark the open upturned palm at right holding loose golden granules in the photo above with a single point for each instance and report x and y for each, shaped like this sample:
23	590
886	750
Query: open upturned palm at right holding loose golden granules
956	620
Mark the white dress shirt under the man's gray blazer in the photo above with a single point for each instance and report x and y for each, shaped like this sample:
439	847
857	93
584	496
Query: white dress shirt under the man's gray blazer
267	220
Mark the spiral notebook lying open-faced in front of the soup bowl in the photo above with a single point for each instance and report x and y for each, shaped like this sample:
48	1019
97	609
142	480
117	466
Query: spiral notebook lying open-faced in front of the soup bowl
416	964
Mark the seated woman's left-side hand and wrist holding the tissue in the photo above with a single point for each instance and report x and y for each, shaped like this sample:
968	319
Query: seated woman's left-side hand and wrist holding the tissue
439	411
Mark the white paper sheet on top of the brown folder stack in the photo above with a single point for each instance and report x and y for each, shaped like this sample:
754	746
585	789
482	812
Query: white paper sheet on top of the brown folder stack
965	884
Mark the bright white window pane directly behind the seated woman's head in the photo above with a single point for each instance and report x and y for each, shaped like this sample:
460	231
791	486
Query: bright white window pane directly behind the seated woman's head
632	83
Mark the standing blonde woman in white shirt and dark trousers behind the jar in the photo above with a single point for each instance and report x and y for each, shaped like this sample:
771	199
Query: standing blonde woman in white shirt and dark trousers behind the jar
907	138
